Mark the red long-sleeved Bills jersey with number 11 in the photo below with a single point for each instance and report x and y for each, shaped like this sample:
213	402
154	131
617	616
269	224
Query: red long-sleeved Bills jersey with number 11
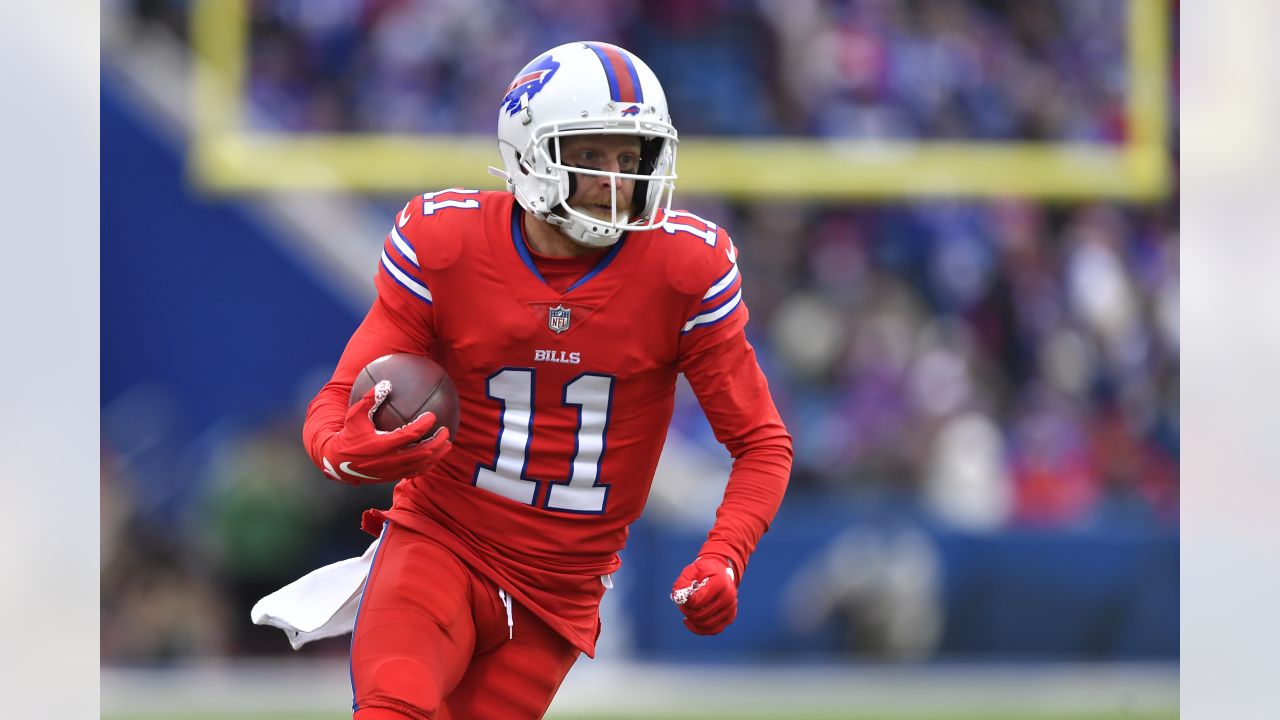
566	397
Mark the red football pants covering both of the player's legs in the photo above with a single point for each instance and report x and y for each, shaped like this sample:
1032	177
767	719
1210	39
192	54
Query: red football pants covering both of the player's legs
432	641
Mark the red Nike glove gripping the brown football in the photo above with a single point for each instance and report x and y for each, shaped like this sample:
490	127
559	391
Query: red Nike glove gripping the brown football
360	453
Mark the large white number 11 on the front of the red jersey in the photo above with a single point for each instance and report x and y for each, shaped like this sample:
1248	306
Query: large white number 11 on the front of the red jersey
592	395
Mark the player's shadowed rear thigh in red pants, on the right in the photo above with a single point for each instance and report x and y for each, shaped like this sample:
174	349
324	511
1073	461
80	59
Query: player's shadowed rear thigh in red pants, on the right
518	678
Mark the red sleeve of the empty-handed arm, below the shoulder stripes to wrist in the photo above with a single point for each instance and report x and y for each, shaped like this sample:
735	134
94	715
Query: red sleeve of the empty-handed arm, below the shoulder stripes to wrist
735	397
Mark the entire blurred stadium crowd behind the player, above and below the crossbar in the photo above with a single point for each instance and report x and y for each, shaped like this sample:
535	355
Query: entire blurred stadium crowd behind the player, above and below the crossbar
995	364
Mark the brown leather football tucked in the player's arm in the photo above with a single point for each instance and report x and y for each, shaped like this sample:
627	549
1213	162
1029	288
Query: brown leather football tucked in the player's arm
419	385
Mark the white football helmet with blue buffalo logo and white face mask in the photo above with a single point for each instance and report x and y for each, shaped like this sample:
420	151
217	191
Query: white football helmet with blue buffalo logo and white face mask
586	89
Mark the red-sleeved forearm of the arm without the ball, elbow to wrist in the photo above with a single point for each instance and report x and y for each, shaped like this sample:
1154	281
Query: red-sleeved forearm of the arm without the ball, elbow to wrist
752	499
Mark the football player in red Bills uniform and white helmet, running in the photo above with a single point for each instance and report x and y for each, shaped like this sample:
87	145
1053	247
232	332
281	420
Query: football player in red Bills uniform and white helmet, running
564	309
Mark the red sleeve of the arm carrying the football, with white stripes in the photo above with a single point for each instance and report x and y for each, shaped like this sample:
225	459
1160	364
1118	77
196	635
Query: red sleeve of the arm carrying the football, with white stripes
400	321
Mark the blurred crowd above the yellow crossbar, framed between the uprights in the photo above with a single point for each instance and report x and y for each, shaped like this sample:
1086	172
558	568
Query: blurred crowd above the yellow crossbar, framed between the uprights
994	70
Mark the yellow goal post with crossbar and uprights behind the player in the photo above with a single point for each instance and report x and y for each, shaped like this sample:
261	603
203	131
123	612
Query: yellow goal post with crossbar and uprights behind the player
228	157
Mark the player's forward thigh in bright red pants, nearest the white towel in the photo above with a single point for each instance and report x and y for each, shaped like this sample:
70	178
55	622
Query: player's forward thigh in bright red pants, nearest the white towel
414	635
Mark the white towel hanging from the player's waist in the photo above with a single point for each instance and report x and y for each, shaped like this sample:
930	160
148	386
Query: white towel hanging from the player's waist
322	604
